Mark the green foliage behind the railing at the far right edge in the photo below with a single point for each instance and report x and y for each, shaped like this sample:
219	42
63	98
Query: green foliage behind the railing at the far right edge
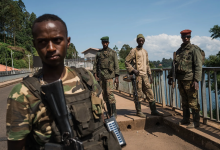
214	61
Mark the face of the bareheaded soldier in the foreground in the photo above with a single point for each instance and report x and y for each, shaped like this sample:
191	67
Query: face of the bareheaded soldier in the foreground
51	42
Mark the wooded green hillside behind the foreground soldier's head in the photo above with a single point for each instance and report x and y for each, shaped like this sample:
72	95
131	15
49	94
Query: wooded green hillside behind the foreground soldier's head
15	34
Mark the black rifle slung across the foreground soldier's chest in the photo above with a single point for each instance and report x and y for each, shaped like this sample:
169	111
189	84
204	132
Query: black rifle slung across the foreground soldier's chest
54	97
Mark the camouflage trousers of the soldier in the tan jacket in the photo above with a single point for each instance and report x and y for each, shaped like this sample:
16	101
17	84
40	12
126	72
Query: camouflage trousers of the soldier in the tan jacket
143	85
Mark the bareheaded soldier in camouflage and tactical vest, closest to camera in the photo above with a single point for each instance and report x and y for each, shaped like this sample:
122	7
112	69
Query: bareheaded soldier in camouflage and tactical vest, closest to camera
30	123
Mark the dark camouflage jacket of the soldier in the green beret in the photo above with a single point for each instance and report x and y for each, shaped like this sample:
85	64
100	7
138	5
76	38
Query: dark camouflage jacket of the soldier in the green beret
108	63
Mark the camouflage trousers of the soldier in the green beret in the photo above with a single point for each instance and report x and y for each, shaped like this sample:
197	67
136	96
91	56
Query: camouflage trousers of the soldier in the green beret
107	90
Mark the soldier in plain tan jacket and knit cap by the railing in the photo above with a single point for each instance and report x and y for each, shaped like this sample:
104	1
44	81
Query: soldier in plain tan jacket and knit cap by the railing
137	62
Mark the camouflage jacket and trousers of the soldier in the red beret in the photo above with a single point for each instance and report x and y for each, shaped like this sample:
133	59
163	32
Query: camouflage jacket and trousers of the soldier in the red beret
188	69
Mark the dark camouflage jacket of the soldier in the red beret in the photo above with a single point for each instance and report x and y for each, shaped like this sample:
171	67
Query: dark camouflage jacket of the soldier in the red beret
188	63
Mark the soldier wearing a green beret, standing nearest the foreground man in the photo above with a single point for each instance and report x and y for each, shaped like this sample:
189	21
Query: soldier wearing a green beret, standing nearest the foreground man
105	69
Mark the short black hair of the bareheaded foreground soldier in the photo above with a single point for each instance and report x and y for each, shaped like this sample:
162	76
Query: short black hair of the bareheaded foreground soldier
47	17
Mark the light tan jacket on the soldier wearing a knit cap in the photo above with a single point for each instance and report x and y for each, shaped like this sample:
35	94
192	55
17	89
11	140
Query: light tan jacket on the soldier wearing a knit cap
138	61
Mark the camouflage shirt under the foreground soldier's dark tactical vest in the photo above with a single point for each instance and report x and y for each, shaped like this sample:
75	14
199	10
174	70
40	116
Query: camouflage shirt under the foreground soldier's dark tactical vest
20	119
